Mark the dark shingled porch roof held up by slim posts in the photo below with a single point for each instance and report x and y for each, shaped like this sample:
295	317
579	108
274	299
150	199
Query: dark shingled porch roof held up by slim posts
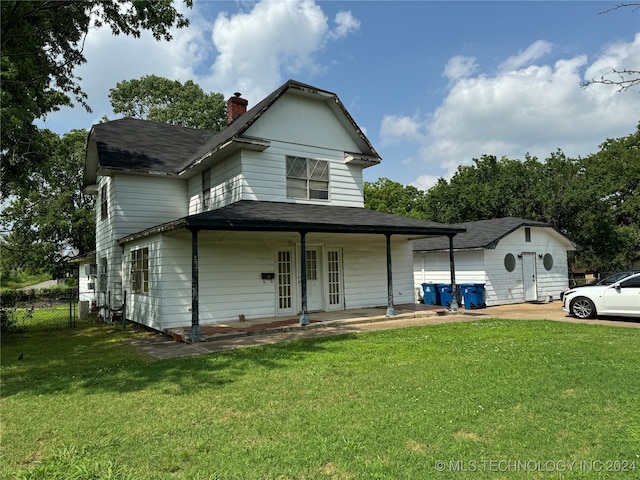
250	215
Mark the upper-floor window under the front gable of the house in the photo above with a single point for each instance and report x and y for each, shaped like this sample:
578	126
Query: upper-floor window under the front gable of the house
307	178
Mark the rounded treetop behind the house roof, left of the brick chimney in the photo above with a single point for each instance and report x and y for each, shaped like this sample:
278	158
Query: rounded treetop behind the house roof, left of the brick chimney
169	101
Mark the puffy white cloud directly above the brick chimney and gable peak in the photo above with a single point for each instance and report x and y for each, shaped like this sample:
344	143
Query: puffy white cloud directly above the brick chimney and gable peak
274	39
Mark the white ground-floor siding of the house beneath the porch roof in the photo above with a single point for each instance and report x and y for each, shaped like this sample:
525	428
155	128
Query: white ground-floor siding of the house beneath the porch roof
230	267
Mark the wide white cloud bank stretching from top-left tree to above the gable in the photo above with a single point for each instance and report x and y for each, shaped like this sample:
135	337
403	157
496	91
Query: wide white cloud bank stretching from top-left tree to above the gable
252	51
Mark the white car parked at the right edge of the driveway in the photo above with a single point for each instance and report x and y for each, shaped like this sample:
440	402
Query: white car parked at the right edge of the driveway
620	299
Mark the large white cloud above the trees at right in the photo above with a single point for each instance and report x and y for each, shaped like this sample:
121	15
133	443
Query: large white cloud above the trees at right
523	108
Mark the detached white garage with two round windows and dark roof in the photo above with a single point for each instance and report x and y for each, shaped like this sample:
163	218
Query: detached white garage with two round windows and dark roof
516	260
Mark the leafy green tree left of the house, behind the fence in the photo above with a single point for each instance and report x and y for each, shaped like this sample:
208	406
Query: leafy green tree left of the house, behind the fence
53	220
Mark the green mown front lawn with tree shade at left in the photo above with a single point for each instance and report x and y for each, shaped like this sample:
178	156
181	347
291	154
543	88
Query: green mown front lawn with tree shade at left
81	403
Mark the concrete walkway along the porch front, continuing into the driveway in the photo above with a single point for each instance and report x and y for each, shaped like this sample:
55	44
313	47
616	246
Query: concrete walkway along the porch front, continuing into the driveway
233	335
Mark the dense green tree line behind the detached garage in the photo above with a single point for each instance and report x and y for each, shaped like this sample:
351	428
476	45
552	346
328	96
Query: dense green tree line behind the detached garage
595	200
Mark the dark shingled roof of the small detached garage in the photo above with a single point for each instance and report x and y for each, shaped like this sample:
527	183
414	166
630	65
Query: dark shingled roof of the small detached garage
485	234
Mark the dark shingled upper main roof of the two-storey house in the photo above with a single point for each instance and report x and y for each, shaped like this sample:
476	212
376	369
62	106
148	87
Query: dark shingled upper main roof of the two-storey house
131	144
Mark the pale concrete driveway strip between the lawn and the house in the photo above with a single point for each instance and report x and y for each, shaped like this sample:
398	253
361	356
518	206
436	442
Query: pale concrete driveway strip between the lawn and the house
164	347
